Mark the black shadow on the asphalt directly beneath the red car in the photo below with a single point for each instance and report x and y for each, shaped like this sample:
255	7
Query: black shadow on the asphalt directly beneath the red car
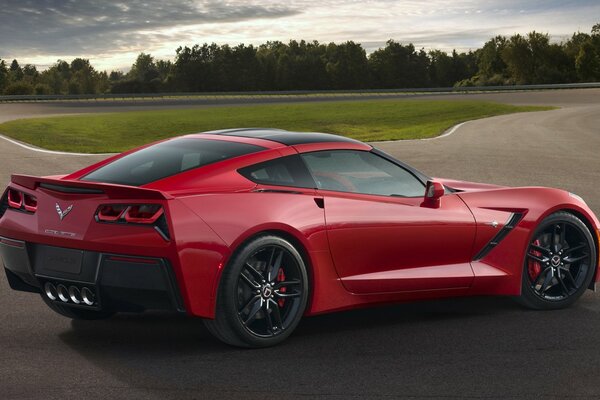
170	331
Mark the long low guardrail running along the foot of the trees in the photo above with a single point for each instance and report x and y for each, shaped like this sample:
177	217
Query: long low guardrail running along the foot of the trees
147	96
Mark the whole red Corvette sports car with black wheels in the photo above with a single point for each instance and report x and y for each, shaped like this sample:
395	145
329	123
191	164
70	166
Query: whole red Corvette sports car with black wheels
251	229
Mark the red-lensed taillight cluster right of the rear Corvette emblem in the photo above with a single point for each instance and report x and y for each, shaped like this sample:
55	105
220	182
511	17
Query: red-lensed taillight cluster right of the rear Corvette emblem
137	214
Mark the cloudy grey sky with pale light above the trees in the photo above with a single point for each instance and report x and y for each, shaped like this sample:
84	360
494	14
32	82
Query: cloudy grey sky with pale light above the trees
112	33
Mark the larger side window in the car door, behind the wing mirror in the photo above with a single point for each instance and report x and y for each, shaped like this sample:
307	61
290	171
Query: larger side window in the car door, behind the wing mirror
361	172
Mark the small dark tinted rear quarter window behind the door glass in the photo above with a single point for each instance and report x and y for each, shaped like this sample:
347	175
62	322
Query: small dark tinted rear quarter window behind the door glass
283	171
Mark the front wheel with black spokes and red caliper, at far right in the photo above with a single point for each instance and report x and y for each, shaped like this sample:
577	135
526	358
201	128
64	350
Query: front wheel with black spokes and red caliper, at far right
559	263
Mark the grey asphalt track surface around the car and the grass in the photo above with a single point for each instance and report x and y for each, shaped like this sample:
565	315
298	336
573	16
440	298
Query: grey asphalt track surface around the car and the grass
460	348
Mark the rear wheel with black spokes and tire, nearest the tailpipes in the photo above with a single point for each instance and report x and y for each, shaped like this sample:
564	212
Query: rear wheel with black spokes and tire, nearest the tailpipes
262	295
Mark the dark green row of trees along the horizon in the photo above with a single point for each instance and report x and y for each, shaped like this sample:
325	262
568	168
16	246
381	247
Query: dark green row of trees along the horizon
302	65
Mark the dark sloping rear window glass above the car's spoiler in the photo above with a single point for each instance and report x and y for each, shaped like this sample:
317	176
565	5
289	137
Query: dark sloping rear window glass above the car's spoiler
167	159
